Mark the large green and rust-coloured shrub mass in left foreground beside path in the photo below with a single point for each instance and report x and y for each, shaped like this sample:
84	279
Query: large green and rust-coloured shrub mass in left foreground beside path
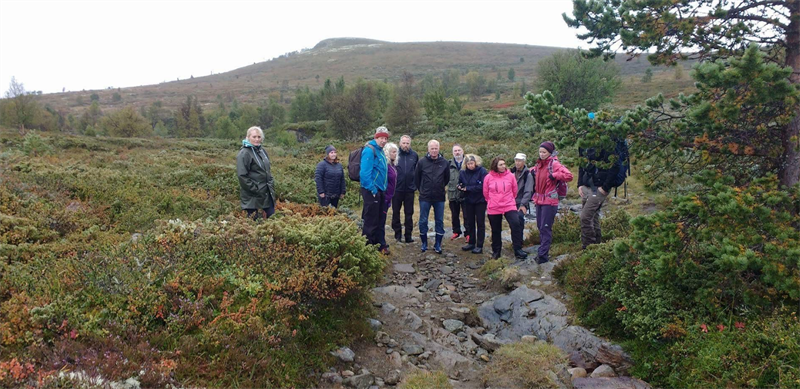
218	302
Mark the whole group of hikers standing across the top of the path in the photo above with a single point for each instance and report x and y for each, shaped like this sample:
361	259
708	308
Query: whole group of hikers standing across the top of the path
390	175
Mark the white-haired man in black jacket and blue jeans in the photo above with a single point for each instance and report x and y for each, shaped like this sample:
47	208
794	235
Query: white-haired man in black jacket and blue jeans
431	177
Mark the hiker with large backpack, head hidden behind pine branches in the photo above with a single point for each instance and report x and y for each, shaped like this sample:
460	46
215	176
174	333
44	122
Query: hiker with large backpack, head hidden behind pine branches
594	185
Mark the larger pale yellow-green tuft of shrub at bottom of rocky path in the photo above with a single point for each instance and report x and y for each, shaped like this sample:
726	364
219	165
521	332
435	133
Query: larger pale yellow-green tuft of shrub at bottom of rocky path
524	365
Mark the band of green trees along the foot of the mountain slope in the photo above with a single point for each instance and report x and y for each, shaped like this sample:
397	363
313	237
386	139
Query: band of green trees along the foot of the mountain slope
343	111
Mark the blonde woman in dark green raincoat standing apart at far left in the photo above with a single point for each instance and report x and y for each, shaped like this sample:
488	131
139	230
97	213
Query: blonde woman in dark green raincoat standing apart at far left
256	184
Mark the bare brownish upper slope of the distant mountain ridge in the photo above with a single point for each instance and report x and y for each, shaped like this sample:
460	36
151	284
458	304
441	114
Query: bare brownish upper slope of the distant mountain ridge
351	58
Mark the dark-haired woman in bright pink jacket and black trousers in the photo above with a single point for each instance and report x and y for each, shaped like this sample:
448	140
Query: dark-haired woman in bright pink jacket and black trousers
500	191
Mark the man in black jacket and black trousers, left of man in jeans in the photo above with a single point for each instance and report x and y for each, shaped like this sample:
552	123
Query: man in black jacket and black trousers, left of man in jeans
404	191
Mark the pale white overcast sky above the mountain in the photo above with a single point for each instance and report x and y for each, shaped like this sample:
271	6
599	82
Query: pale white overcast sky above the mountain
50	45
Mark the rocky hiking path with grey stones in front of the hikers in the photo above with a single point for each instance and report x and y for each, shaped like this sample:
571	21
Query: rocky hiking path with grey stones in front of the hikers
435	313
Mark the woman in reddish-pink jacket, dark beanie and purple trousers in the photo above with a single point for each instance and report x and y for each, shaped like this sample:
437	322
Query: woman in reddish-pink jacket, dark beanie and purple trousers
548	174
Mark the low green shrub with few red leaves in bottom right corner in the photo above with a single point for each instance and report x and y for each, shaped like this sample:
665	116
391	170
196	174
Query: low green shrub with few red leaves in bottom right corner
763	353
